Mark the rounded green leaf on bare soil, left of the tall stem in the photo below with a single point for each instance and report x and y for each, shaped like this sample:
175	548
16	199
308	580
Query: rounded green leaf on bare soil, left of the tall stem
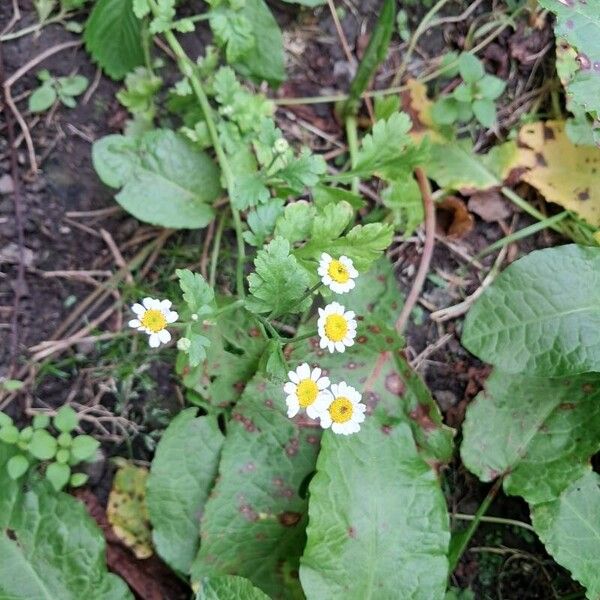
165	180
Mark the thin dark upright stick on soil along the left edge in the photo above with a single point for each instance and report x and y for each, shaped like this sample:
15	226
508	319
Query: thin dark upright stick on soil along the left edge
18	207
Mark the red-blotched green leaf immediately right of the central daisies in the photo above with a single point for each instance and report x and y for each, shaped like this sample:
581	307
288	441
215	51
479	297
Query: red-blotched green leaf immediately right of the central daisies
376	367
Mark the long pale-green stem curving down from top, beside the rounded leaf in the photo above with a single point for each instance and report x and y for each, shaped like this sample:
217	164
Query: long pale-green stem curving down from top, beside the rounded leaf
187	67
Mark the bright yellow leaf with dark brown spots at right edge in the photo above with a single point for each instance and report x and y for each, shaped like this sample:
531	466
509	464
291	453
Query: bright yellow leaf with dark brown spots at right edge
562	172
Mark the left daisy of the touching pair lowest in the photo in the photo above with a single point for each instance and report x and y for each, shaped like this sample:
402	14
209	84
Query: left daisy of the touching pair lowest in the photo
308	390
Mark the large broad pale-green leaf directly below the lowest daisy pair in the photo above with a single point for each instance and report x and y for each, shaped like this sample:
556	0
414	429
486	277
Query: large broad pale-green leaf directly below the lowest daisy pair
378	521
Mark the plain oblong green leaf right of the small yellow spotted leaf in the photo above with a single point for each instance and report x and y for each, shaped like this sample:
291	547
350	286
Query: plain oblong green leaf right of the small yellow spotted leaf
181	476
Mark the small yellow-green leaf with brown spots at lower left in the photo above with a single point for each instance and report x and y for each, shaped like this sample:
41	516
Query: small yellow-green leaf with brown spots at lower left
126	510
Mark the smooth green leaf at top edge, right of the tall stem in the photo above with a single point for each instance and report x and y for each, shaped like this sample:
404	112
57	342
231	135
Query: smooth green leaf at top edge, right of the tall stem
265	59
